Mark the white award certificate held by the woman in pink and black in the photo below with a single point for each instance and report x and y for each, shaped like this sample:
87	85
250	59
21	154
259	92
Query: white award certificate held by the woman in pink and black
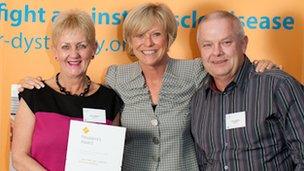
94	147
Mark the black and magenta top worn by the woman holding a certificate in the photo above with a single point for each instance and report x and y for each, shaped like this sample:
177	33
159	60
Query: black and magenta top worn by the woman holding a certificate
53	112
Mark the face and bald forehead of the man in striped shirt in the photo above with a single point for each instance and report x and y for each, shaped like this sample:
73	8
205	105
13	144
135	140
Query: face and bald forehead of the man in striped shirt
222	47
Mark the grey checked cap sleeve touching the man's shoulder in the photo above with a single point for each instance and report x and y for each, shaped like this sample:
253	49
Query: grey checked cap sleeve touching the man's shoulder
199	72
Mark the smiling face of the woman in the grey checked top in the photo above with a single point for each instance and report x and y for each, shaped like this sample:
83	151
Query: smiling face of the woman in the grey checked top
150	47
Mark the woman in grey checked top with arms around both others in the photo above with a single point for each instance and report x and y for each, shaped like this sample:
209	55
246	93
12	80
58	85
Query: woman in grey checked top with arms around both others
156	91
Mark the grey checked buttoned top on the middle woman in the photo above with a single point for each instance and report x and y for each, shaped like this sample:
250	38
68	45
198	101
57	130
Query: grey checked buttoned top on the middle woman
159	140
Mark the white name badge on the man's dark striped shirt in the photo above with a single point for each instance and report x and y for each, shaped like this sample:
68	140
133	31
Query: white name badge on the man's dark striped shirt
235	120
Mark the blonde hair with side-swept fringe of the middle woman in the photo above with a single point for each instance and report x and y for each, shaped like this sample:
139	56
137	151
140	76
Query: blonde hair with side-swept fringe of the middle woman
140	19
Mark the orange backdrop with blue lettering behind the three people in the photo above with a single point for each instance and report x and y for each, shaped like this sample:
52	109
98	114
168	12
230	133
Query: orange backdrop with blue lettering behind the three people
275	30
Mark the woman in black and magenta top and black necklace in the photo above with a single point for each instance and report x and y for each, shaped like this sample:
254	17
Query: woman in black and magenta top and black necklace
42	121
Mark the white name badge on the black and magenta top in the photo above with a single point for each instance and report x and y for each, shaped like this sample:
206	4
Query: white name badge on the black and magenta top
94	115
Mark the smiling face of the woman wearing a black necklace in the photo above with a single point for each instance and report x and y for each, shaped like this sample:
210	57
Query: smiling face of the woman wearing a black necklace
74	53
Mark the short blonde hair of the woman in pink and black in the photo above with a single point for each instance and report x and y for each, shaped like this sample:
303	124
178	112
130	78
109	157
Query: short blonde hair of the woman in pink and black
74	20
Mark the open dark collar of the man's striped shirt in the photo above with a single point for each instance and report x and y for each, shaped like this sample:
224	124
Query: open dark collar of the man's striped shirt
239	80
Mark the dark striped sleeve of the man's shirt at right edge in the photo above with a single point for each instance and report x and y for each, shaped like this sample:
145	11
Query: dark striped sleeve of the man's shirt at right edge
290	102
